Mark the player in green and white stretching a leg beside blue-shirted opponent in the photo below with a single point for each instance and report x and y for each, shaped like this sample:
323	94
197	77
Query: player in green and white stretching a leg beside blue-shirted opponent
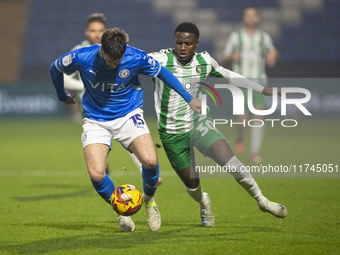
179	127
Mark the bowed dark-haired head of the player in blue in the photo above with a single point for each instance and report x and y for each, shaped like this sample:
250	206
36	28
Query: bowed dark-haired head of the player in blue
114	42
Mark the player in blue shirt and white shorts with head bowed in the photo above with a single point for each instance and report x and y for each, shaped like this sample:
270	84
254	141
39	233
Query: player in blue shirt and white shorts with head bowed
112	110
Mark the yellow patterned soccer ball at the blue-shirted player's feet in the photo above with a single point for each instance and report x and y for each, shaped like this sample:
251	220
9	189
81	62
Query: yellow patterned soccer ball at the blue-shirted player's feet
126	200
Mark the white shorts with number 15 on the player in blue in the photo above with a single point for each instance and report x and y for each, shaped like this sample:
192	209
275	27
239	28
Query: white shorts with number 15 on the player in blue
123	130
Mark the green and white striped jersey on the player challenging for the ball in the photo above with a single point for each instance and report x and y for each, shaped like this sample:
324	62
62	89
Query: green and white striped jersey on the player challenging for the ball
173	113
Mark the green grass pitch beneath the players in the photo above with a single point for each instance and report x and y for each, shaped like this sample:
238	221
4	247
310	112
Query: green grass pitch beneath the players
48	206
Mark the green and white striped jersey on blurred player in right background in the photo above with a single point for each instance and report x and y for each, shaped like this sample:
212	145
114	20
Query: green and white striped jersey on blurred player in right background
253	50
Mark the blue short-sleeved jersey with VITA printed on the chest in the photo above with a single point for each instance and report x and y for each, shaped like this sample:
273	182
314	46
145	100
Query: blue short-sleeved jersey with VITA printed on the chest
109	93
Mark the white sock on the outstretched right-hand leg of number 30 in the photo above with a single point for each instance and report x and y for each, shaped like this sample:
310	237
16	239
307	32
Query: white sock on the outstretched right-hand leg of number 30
245	179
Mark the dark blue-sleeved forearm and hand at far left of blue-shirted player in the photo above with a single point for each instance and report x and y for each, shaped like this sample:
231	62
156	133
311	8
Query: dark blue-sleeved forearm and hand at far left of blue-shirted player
58	82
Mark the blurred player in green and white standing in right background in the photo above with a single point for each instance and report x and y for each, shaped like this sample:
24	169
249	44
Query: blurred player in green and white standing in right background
250	50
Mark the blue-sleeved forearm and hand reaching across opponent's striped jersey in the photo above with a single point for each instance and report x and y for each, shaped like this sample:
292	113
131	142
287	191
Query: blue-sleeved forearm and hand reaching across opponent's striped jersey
167	77
